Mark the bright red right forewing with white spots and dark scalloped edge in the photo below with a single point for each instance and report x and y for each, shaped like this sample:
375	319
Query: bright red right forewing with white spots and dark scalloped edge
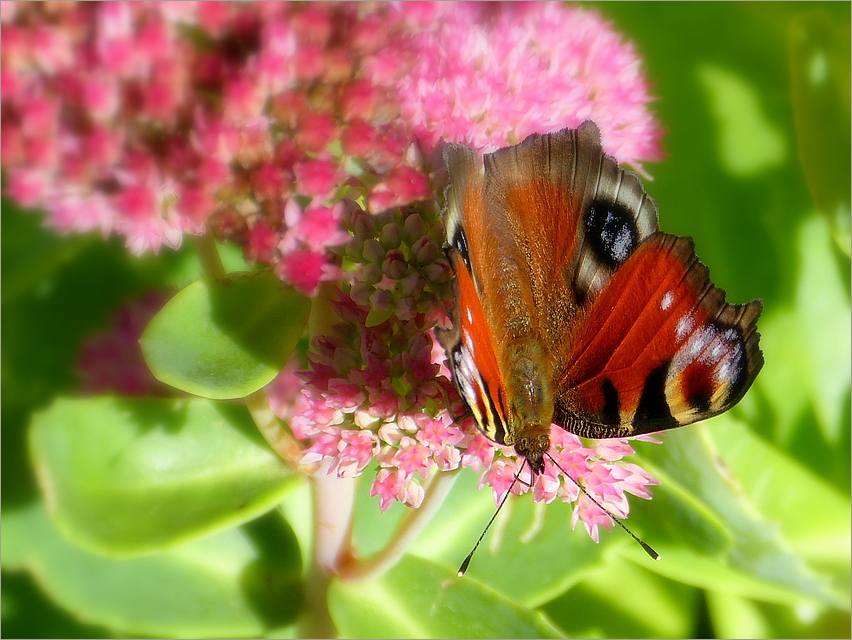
658	348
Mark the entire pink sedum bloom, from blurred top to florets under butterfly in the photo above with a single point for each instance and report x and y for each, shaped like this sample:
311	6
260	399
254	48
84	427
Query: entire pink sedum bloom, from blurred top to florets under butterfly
310	134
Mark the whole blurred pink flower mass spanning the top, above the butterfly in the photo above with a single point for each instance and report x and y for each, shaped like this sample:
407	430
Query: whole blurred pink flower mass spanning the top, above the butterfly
152	120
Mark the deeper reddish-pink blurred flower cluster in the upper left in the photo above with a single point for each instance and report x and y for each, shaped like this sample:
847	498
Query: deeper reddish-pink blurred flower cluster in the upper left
252	120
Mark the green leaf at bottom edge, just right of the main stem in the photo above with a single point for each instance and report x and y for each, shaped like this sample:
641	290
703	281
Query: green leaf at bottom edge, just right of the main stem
418	599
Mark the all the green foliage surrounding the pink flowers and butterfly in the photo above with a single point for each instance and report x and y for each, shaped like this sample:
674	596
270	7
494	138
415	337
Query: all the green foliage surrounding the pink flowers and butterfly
155	517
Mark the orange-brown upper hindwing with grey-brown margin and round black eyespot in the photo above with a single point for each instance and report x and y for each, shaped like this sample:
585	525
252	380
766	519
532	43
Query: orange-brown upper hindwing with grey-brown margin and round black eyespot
576	216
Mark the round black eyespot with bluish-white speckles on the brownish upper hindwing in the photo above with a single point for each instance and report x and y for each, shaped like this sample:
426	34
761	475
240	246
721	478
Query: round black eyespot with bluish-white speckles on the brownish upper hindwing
611	232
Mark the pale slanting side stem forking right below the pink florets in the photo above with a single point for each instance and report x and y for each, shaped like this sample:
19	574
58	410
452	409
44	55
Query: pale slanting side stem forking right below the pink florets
409	529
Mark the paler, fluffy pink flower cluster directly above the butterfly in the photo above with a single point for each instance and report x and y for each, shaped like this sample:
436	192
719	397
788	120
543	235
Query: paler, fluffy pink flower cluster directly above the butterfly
490	74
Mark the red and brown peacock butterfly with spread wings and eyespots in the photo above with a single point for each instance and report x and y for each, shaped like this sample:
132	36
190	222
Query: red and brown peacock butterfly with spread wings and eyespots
572	308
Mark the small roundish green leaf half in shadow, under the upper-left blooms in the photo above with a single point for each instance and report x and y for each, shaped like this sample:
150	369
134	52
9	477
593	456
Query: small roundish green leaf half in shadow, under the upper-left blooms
225	338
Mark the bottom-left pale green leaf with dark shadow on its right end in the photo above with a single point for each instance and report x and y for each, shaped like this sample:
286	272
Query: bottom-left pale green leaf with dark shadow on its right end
239	582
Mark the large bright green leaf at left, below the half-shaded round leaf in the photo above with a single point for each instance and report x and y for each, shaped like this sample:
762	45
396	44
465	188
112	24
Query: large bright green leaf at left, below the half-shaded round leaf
125	476
